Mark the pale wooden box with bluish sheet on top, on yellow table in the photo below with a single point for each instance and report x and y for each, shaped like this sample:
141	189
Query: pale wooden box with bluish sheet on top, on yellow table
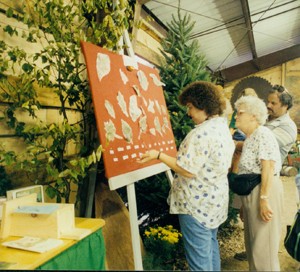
25	216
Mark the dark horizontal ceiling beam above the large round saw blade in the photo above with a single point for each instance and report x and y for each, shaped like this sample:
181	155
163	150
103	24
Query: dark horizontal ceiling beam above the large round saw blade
261	63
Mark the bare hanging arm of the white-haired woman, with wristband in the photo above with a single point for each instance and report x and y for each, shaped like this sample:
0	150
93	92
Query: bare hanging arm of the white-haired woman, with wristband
267	176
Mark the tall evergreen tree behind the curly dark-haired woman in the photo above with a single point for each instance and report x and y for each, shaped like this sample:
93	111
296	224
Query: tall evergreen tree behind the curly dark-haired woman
182	64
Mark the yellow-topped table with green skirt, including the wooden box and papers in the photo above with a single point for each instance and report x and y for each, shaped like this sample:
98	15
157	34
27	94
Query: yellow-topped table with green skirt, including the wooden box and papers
47	236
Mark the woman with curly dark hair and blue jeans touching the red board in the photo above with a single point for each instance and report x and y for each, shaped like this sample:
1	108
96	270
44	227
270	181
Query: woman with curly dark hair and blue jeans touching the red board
199	193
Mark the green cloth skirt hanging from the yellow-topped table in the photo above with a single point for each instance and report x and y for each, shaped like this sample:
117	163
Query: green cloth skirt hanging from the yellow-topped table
87	254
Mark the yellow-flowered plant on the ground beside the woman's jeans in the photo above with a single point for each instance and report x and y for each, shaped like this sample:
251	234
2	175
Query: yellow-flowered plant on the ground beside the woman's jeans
164	248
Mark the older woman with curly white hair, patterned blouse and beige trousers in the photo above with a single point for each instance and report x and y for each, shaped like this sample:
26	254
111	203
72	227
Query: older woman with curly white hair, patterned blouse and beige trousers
262	208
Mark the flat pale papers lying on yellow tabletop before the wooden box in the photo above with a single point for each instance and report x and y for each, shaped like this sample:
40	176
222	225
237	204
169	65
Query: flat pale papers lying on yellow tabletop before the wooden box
34	244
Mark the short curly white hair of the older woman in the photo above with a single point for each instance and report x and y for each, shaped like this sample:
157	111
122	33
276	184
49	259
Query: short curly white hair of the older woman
254	106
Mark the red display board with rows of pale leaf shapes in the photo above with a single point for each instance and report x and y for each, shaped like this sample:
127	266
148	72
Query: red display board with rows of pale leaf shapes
130	110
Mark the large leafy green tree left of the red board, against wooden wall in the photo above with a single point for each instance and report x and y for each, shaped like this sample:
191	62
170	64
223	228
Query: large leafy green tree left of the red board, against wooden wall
55	29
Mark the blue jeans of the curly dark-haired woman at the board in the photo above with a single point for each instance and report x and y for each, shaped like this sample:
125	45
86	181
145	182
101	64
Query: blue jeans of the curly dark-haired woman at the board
200	244
